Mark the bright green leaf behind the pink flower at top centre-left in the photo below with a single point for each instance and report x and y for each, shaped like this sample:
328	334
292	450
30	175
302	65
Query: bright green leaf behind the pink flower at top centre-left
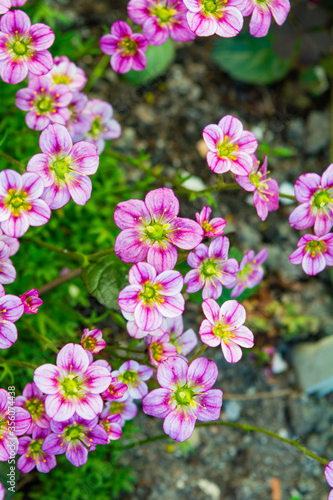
158	61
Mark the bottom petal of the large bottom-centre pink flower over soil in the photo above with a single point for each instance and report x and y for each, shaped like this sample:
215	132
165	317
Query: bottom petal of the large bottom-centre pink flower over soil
179	424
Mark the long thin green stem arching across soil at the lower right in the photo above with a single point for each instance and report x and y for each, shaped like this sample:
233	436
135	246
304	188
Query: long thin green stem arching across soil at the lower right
244	427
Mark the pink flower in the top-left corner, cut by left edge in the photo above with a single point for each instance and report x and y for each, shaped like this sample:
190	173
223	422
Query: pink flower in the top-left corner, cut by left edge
22	47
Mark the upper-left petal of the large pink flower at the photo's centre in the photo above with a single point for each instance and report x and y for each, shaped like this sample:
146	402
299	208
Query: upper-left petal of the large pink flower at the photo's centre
131	214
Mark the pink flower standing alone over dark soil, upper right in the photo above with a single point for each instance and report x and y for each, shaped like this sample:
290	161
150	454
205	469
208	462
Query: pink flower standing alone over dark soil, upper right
230	147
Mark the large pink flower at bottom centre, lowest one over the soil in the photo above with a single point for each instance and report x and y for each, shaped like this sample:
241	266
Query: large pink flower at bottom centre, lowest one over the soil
185	396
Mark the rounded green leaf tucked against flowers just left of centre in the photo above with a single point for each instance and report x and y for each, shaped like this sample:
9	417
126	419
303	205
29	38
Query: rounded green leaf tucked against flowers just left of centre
105	277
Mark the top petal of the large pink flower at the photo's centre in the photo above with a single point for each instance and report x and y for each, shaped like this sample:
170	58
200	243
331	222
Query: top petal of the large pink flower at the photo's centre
162	204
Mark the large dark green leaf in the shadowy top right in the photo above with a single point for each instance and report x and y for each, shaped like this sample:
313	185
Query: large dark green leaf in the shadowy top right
251	60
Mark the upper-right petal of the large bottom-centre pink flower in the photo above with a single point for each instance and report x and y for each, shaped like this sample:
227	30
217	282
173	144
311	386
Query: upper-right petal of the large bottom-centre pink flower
202	374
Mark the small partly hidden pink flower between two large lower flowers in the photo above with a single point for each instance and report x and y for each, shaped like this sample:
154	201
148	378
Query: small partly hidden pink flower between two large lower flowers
134	375
